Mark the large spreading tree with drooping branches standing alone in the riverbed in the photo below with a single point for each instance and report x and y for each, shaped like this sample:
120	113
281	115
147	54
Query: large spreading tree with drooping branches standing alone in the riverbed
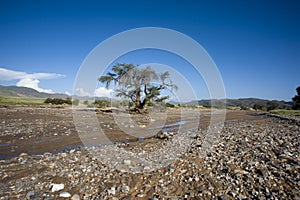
137	84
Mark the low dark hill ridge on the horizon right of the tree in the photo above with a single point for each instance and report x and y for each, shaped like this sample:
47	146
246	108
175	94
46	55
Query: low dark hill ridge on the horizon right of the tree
243	102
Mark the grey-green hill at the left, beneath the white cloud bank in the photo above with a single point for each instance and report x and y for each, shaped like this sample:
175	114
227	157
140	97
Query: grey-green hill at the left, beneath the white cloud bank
14	91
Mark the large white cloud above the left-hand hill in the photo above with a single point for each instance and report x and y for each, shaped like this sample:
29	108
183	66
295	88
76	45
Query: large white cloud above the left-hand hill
28	80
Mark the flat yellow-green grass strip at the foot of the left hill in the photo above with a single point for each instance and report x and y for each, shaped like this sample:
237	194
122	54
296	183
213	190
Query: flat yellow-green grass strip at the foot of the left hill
21	101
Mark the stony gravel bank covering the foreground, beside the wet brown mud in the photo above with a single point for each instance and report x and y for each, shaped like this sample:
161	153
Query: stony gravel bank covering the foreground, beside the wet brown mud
252	159
